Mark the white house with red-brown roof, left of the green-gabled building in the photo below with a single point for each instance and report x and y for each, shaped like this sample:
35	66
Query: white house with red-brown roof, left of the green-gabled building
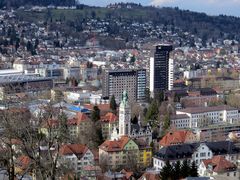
76	156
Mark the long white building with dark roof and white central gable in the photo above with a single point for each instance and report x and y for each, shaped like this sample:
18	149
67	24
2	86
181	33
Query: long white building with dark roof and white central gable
195	152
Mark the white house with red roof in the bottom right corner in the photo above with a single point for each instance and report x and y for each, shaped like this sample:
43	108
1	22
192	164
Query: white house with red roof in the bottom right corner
218	167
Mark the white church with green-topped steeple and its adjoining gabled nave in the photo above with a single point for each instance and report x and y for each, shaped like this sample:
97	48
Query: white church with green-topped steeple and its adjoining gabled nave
126	128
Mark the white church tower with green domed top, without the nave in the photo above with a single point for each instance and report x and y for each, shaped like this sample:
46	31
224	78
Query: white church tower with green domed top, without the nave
124	116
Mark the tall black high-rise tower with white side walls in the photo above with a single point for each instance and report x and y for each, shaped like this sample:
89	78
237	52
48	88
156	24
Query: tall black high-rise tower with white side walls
161	69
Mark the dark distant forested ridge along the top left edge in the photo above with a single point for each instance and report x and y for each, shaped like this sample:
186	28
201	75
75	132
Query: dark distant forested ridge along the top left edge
18	3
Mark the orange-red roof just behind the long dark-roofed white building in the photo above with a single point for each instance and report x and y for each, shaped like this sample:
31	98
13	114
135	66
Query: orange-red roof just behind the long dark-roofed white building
175	137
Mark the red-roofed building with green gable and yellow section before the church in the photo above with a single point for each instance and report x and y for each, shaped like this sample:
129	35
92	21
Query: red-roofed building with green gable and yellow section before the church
125	152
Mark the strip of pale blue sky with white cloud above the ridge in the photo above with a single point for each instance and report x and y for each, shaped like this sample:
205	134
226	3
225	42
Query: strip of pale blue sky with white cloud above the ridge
212	7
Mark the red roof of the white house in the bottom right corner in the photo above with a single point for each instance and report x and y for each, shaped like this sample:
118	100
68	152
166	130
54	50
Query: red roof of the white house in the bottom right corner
219	164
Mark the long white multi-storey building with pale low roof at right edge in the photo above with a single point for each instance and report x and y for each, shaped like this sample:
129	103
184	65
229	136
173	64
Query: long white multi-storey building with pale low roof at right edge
202	116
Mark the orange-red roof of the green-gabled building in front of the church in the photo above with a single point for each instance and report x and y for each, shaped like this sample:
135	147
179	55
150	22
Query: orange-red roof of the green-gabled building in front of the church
115	145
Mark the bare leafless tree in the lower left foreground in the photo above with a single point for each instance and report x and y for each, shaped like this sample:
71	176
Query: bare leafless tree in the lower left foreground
42	147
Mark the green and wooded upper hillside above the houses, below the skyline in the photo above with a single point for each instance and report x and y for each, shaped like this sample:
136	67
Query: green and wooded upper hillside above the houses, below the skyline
199	24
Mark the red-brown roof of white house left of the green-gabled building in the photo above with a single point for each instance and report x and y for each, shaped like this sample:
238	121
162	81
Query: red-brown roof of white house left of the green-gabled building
77	149
